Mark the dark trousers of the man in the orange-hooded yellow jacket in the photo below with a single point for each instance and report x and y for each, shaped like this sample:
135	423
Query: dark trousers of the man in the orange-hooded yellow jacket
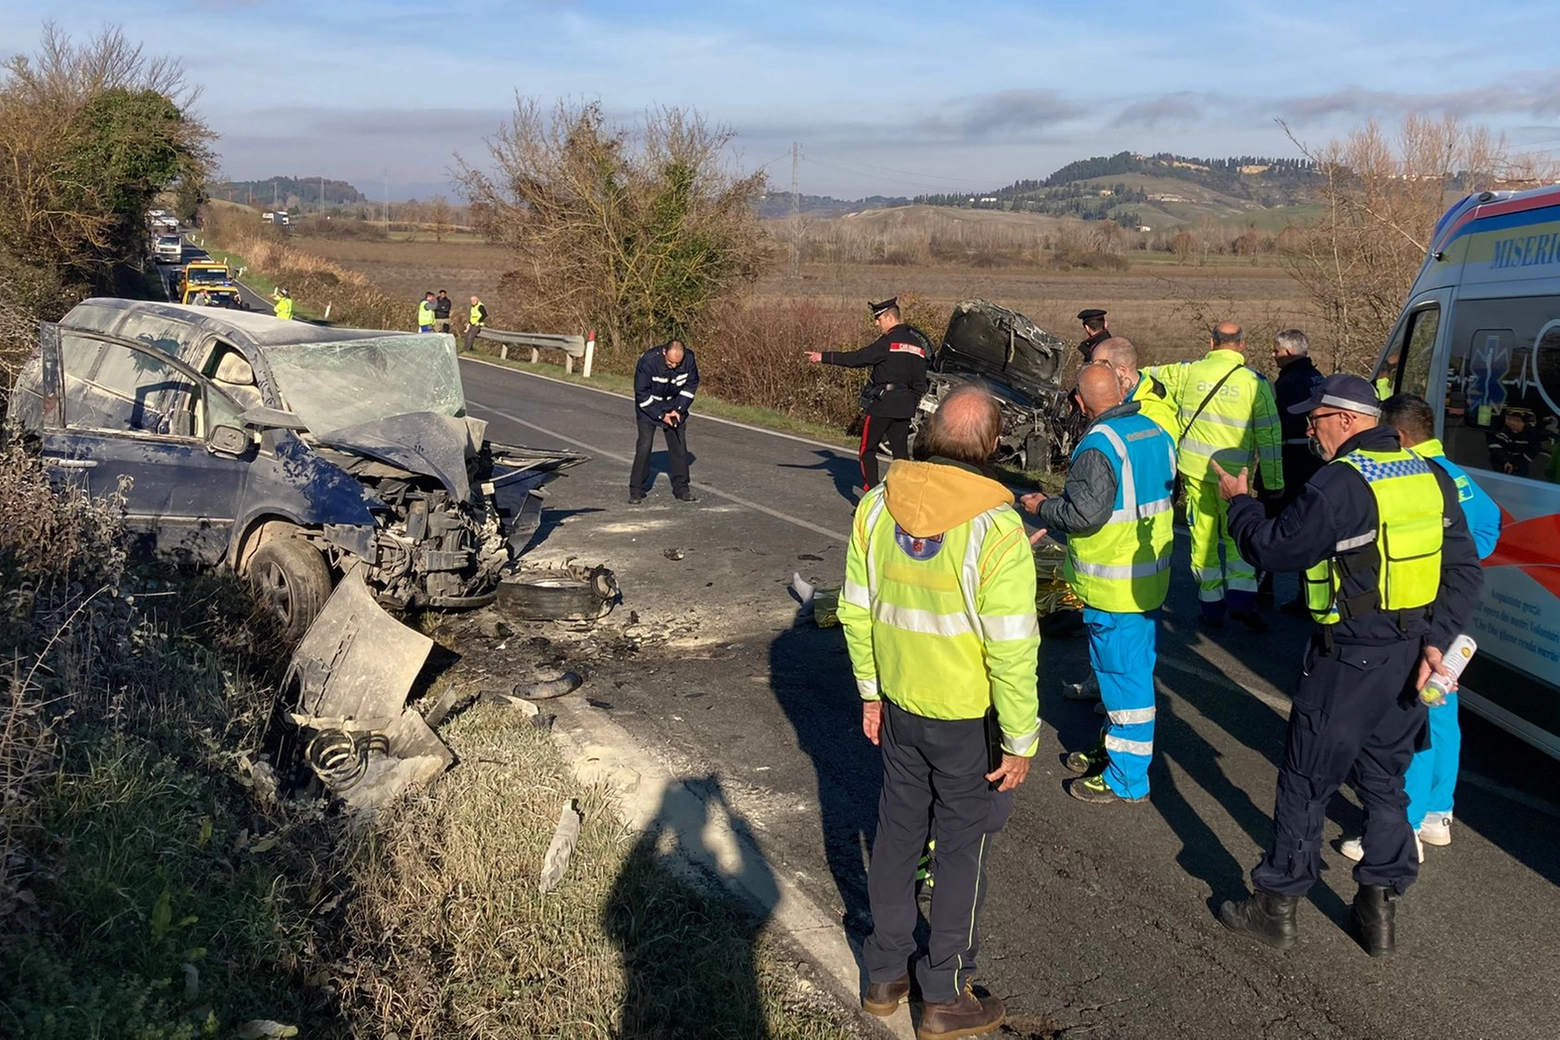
934	766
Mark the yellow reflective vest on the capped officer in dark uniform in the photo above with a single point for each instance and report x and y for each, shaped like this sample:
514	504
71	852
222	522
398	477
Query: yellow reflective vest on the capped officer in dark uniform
1408	539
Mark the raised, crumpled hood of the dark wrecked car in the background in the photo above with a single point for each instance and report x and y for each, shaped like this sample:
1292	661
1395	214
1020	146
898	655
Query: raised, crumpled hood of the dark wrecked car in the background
1002	345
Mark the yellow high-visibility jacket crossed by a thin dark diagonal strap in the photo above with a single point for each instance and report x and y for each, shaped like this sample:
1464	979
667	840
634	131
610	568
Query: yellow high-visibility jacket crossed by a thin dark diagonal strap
1239	423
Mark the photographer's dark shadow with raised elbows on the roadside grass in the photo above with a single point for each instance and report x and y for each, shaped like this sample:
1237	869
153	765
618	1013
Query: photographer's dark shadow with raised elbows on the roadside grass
690	957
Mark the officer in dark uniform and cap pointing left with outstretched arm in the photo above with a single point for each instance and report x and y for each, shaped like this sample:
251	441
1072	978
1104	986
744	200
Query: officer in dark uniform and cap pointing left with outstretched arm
899	378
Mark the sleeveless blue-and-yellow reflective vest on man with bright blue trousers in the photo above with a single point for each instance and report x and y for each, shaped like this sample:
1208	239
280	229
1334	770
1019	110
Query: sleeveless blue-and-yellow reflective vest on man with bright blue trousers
1126	567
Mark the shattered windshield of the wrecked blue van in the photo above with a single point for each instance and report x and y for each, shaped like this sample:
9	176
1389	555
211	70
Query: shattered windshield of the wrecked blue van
336	386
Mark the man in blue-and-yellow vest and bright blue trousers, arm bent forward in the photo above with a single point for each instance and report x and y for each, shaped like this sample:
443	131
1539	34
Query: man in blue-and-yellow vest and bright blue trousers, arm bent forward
1118	515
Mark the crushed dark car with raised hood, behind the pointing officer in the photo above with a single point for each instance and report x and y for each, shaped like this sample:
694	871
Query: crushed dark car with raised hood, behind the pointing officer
1021	364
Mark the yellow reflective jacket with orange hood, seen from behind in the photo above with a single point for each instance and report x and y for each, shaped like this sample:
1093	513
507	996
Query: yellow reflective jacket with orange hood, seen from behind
938	604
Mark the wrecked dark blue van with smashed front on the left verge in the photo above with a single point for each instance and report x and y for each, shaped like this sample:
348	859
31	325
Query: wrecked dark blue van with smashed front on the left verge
283	450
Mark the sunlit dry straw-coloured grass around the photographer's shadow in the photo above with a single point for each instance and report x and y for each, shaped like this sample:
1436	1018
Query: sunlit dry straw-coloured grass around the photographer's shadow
450	938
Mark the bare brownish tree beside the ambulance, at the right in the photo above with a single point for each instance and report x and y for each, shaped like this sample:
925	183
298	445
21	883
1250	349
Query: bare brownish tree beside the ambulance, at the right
1381	196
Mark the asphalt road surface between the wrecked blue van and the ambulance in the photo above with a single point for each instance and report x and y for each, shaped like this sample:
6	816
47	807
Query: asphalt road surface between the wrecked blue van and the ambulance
1099	921
